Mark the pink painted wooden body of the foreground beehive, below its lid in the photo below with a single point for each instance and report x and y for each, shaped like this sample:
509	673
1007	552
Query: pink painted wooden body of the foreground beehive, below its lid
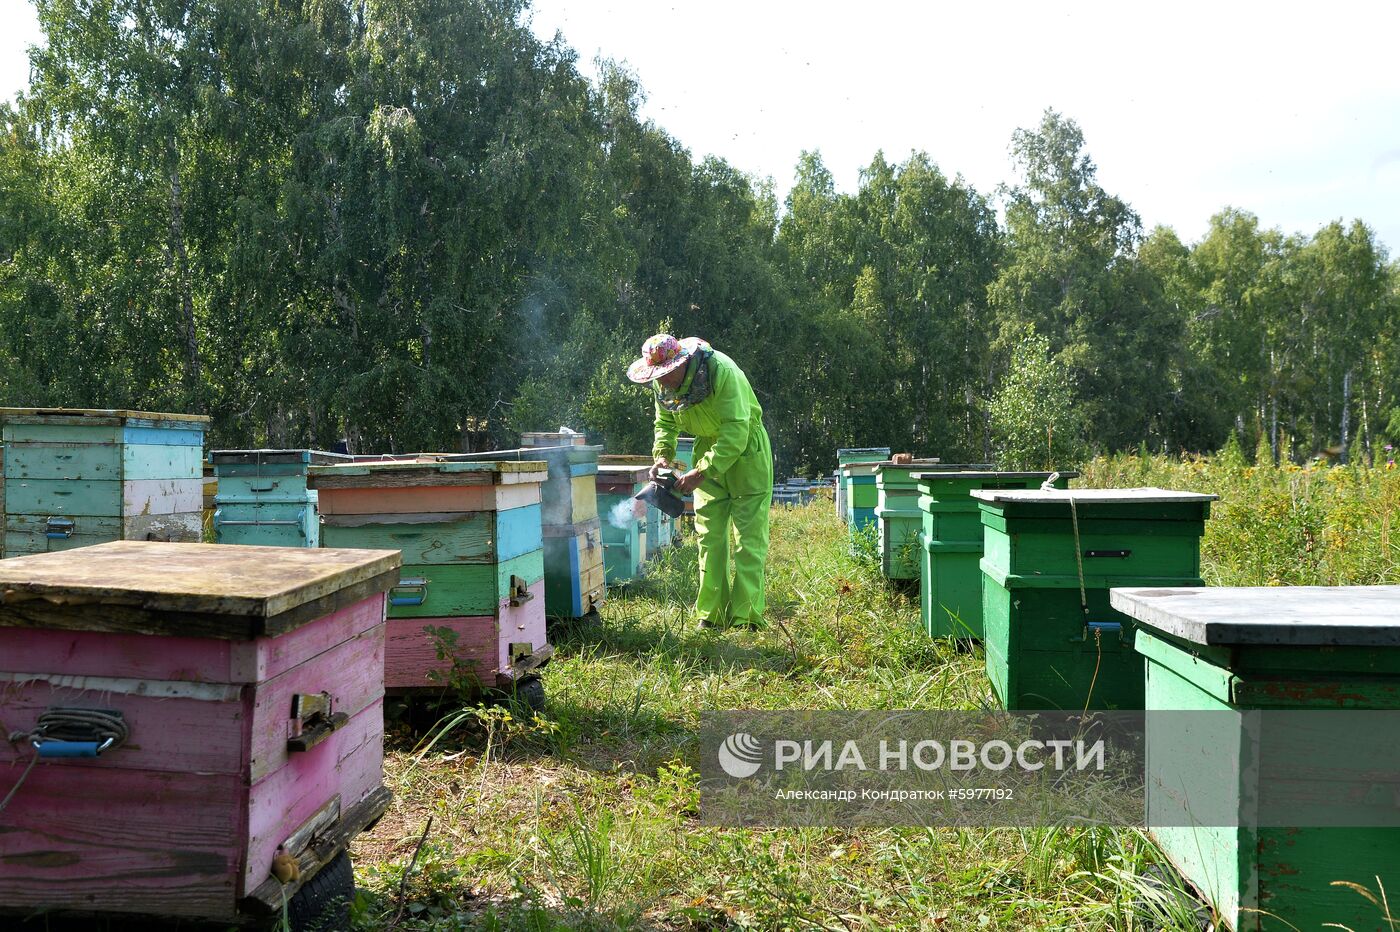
188	815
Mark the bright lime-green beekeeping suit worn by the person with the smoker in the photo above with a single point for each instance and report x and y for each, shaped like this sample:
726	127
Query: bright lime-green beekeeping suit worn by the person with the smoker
734	454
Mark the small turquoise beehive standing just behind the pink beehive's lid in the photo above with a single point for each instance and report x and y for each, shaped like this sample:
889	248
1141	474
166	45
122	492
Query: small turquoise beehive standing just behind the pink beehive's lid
262	497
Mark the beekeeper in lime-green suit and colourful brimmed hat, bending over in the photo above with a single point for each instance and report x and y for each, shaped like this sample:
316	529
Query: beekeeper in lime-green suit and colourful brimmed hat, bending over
702	393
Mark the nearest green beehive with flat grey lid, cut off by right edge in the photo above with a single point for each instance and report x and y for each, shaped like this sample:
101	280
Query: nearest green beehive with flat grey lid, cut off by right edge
1333	650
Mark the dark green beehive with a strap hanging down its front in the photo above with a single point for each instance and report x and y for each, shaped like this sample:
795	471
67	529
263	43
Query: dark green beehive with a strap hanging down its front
1049	560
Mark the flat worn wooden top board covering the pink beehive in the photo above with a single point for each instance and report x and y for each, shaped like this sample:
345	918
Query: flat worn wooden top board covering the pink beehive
192	579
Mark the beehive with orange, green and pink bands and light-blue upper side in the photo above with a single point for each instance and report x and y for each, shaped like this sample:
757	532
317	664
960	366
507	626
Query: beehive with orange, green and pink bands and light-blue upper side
474	566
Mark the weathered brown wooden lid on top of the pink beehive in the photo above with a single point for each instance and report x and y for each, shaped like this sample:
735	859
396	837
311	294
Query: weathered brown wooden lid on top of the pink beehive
222	591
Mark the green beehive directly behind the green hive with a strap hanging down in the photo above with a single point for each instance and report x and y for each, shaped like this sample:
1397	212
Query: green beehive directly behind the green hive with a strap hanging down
950	544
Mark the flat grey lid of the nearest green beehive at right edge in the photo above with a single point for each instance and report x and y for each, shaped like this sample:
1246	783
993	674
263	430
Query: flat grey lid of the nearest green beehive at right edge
1301	616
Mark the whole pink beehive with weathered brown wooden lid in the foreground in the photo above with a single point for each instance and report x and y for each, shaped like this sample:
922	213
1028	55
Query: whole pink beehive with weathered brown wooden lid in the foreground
250	686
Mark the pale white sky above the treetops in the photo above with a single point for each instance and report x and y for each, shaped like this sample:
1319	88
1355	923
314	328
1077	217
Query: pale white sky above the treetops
1290	111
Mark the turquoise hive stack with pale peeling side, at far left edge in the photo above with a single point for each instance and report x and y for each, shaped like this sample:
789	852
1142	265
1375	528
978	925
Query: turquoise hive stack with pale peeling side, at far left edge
78	478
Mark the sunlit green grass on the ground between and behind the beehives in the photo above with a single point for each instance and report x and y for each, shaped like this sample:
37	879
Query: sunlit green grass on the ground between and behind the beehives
587	817
